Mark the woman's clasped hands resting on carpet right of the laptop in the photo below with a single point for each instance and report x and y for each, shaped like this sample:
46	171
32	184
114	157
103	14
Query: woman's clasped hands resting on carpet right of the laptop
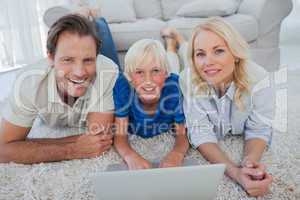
253	187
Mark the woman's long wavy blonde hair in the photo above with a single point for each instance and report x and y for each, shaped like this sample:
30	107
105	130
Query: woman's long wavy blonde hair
237	46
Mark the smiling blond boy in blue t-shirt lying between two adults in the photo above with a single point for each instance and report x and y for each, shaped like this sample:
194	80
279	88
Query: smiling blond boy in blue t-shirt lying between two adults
148	102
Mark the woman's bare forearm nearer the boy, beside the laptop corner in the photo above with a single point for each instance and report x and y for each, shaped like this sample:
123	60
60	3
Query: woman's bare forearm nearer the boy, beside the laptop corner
212	153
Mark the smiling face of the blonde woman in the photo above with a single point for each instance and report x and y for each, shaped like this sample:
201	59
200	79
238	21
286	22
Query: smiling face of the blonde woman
213	59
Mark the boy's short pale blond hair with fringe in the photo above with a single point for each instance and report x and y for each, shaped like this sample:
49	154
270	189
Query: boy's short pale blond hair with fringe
140	51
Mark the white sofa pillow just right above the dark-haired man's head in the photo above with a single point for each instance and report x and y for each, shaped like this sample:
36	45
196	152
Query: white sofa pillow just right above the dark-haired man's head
117	11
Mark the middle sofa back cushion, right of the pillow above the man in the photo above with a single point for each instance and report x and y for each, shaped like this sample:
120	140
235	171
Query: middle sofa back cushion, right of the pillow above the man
148	8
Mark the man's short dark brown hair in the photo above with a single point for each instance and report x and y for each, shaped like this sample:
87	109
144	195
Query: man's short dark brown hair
72	23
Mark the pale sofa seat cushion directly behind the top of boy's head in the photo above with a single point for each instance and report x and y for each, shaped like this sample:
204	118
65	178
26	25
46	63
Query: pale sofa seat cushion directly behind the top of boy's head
125	34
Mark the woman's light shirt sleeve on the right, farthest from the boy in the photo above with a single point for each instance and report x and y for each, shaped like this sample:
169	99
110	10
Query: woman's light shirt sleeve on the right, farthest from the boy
260	120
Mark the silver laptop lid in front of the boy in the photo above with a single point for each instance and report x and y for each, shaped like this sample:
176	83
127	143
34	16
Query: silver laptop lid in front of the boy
197	182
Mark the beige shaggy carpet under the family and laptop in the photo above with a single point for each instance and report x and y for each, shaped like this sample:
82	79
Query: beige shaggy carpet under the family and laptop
72	179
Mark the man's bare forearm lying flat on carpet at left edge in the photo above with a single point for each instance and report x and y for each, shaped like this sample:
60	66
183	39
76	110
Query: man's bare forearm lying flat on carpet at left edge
29	152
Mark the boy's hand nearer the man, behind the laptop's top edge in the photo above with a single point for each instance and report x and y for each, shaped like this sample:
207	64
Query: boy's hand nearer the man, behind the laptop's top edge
135	161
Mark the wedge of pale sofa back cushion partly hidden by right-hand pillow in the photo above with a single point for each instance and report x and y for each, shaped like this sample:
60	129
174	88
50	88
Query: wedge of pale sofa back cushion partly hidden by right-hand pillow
170	7
